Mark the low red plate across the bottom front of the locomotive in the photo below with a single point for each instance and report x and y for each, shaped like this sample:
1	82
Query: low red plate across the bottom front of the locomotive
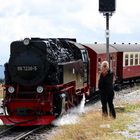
27	121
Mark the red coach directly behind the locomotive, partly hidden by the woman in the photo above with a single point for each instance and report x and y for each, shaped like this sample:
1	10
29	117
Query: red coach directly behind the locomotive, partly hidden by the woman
97	54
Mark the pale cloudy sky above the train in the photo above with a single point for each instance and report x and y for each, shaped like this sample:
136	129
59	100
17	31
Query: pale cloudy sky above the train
78	19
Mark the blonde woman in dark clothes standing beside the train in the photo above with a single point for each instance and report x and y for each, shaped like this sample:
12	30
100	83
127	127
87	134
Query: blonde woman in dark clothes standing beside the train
106	90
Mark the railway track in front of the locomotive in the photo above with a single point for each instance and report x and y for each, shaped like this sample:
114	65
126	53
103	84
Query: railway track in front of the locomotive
18	133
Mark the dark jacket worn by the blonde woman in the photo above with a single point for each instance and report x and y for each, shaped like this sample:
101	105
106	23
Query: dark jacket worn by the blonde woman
106	83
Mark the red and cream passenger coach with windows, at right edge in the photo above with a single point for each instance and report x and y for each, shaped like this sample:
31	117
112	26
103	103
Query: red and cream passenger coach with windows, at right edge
128	62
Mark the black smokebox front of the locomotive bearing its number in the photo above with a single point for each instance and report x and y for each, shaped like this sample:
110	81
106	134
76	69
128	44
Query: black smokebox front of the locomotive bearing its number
26	63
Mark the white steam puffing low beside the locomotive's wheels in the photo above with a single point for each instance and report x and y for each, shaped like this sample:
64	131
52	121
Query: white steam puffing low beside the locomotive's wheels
72	116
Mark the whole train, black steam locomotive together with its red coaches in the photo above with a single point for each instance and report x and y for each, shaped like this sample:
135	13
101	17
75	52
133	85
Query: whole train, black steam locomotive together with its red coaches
46	77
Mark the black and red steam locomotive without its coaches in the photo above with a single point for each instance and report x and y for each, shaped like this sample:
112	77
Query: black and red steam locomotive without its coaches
43	79
